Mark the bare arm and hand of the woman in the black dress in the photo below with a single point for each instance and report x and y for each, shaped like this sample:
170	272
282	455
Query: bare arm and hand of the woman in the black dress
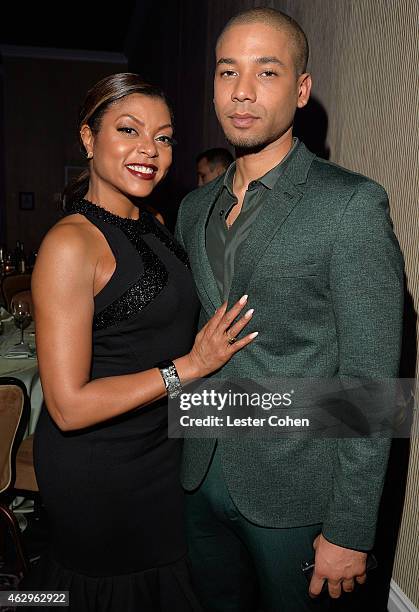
62	286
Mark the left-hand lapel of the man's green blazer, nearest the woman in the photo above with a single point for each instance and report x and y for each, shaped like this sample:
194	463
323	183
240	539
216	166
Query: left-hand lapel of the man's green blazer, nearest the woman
201	268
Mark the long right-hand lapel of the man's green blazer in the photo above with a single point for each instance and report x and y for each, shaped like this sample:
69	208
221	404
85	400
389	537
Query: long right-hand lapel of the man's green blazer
282	199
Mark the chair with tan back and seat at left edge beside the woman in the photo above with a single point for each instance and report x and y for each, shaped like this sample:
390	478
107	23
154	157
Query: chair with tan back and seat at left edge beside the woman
17	475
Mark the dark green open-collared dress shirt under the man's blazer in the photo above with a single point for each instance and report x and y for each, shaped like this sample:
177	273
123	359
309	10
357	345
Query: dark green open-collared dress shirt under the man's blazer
222	242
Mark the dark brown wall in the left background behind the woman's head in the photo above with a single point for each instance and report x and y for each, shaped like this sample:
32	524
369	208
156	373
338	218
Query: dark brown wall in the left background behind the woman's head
41	101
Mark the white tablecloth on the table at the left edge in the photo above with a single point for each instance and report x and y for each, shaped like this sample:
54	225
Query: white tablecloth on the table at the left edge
24	369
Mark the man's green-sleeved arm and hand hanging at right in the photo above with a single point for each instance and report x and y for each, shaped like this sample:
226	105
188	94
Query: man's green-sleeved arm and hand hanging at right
366	280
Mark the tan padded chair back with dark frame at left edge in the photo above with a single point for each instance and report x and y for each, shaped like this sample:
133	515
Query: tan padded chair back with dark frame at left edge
14	416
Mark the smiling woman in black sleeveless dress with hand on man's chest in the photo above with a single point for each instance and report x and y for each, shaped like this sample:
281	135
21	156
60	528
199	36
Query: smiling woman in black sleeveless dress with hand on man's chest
114	299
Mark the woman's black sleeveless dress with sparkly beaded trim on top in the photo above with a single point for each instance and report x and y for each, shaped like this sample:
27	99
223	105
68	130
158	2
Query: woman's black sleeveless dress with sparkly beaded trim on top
112	491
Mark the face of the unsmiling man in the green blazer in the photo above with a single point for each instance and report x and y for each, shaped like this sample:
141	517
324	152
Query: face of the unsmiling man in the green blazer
256	89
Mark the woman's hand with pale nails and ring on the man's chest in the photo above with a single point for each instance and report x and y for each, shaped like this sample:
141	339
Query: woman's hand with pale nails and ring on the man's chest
216	343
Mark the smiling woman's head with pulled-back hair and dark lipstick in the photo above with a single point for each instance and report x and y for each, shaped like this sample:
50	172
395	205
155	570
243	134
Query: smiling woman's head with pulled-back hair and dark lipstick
125	131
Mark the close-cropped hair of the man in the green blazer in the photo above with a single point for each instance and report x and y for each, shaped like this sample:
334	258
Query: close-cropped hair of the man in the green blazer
279	21
